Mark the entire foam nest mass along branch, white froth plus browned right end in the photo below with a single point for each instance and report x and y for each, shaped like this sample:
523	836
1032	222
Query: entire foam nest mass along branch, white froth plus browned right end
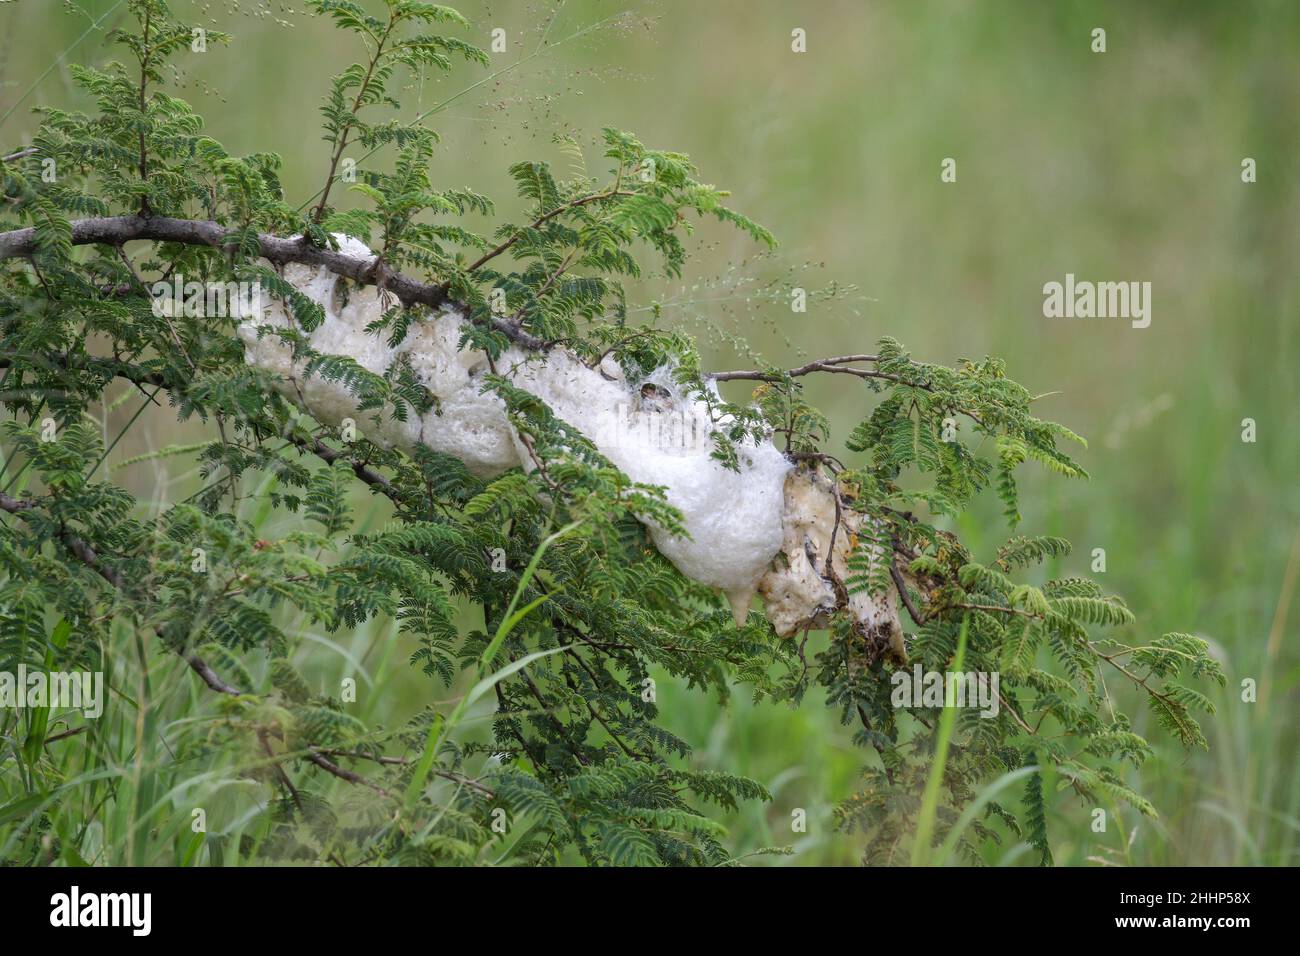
764	530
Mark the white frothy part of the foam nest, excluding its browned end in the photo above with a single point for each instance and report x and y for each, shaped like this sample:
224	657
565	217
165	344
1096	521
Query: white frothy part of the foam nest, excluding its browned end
645	427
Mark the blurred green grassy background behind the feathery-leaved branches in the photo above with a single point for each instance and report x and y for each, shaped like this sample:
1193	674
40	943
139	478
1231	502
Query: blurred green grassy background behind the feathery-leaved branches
1117	166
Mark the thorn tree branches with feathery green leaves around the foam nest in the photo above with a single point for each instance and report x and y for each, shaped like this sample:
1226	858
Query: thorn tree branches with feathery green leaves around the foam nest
582	609
